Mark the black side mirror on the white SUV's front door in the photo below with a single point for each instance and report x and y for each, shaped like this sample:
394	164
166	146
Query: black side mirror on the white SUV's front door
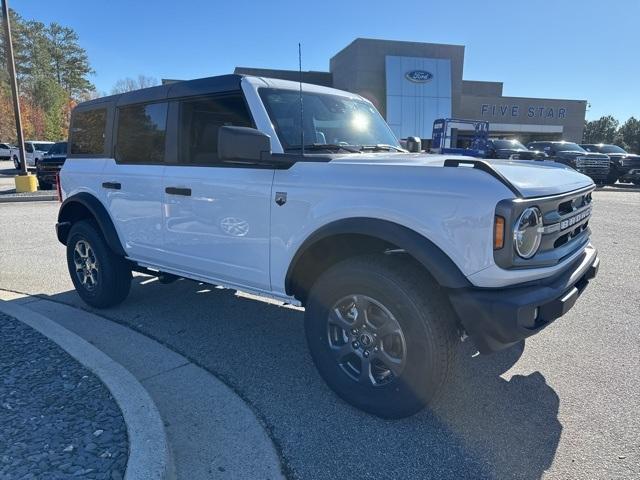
242	143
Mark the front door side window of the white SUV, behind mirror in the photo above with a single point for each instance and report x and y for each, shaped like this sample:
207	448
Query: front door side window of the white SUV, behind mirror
200	120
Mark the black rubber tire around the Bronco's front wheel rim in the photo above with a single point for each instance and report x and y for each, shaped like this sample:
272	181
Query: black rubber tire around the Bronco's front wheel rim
428	326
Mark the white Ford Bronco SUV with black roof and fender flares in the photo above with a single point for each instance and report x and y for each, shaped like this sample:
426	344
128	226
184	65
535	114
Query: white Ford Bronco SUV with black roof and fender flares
302	193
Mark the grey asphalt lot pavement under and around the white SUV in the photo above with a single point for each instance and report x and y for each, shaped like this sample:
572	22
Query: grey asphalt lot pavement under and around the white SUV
564	407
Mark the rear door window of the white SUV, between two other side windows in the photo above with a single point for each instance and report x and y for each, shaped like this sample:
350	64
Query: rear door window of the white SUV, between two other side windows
141	133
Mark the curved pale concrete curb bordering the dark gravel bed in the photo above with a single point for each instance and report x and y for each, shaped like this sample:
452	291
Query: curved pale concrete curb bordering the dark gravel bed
149	453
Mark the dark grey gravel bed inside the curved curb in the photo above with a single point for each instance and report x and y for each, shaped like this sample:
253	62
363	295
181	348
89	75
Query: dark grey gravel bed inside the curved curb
57	420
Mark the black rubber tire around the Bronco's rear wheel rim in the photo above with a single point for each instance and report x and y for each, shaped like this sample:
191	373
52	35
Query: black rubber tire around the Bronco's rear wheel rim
112	273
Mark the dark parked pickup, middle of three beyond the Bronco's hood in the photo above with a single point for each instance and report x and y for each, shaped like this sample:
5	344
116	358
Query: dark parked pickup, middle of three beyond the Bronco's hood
594	165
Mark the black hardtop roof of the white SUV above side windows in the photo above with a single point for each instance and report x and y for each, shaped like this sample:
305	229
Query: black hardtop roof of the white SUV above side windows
186	88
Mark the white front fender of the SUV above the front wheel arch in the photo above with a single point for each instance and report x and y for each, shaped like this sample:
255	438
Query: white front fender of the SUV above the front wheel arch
321	193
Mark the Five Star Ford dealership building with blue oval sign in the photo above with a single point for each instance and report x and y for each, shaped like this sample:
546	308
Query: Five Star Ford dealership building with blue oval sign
413	84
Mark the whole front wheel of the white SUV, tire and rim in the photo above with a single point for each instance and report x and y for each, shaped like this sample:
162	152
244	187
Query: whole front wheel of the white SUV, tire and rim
381	334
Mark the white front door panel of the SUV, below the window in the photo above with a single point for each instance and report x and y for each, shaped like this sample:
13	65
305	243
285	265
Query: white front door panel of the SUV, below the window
221	231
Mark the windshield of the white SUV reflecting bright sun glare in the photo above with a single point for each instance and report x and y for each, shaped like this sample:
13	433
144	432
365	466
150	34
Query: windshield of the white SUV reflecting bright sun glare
327	119
